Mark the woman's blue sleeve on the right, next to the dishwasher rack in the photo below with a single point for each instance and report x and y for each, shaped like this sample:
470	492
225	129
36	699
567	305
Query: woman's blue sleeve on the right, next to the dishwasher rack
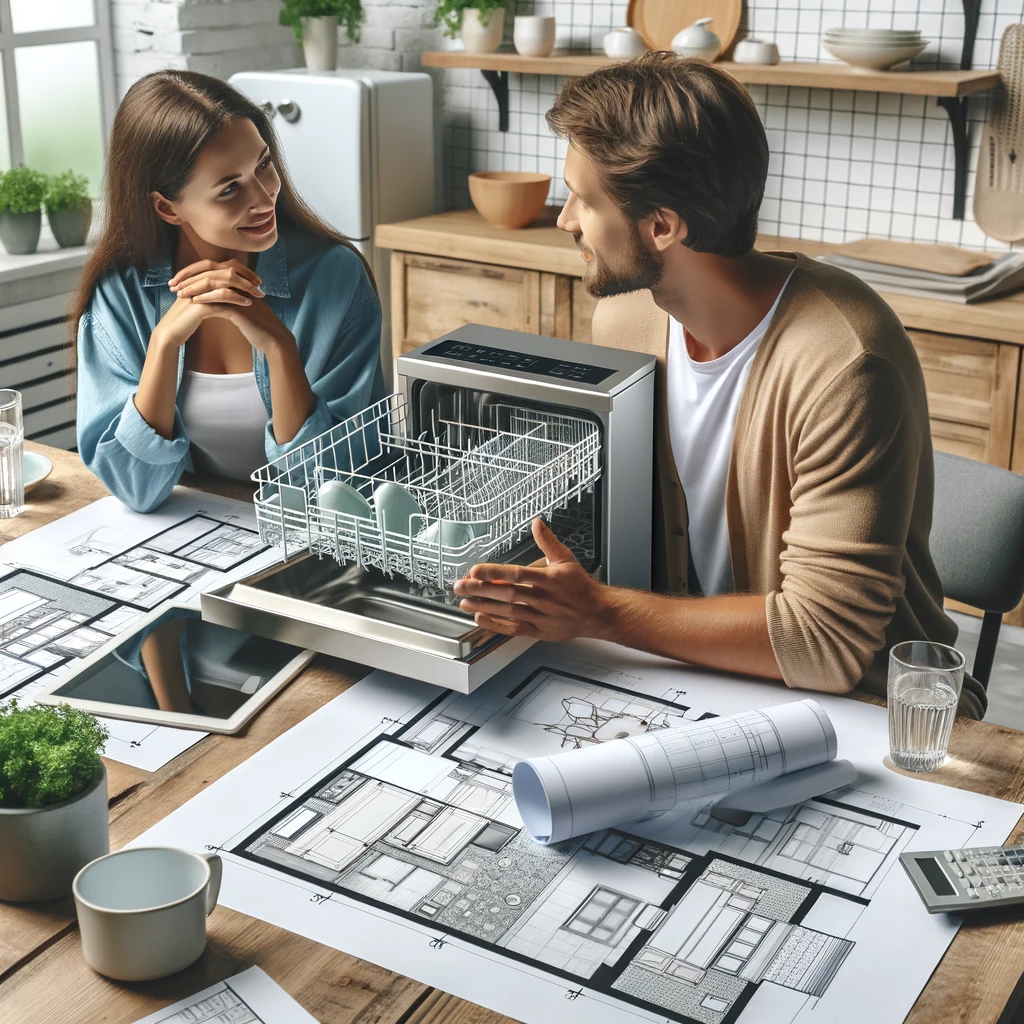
352	379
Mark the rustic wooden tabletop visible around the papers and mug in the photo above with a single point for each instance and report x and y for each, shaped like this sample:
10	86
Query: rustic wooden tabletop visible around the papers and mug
45	980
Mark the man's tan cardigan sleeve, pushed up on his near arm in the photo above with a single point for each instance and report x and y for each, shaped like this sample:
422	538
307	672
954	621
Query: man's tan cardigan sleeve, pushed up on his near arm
856	479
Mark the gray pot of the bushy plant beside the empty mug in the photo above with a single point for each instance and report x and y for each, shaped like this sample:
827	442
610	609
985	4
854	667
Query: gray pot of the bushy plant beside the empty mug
44	848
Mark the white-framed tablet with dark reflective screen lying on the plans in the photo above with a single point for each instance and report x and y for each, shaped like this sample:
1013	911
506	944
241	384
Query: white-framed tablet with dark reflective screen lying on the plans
172	668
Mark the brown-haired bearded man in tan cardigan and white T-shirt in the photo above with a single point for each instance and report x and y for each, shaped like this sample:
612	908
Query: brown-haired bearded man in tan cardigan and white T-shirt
794	459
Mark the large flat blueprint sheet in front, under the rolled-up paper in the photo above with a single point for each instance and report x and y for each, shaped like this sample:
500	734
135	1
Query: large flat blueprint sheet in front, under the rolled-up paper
385	826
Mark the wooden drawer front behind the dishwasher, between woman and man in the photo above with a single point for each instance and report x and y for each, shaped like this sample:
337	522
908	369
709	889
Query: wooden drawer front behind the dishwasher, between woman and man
433	296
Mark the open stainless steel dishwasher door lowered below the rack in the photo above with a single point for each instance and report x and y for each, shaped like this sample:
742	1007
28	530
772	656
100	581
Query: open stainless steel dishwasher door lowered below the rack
366	617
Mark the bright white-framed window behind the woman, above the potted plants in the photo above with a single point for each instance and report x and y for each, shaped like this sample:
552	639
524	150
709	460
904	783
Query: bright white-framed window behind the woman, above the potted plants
57	87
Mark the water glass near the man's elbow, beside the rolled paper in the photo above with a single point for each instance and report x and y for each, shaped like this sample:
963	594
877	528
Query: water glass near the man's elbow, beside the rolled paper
925	681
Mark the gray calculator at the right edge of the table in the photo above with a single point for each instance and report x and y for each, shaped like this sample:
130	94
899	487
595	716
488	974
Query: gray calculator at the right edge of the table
952	881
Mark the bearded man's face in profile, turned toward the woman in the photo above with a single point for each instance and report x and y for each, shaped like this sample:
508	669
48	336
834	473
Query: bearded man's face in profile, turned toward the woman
610	243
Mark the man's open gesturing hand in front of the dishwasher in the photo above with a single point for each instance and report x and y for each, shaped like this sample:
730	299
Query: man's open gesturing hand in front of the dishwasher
558	602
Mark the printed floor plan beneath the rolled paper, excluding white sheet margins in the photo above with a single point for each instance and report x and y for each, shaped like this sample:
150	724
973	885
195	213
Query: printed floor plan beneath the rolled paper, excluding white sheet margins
422	824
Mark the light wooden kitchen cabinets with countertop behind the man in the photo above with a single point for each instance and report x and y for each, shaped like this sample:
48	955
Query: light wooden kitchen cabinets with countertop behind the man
453	269
